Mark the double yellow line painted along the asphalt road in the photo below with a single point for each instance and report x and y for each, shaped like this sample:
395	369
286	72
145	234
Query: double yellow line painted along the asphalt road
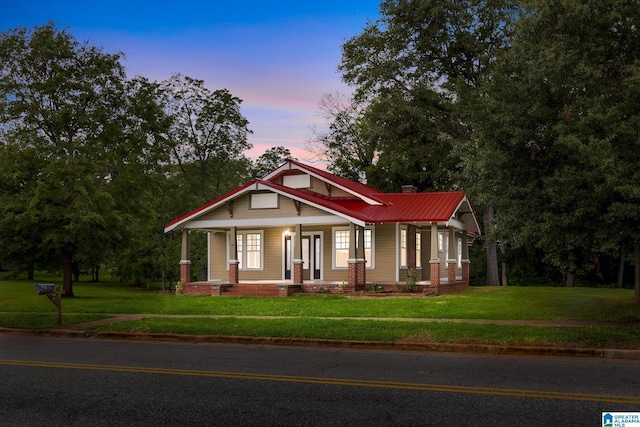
532	394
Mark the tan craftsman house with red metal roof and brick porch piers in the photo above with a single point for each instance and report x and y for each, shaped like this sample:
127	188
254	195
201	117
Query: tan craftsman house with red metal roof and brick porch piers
300	228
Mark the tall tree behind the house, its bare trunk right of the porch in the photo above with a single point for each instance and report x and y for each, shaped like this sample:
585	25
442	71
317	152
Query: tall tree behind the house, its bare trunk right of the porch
413	66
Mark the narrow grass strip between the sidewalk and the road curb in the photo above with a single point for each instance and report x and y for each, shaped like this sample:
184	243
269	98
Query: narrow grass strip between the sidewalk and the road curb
378	330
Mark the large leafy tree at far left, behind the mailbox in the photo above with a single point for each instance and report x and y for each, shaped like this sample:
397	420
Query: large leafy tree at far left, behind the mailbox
84	132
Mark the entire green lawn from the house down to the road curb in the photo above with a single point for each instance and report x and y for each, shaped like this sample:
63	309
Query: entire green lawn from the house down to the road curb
20	307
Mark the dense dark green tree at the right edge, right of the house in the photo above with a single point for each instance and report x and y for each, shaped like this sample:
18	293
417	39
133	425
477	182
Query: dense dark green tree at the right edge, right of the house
558	119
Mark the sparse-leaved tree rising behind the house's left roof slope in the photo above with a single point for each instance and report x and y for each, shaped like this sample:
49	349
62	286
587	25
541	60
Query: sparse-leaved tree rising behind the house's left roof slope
208	131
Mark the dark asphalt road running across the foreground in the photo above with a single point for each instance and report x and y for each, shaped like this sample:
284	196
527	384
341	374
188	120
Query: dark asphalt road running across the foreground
91	382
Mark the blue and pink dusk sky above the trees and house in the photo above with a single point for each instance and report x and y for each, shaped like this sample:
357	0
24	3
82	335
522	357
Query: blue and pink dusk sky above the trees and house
279	57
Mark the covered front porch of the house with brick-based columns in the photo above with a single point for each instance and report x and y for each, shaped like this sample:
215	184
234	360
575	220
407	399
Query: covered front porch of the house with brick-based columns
307	261
